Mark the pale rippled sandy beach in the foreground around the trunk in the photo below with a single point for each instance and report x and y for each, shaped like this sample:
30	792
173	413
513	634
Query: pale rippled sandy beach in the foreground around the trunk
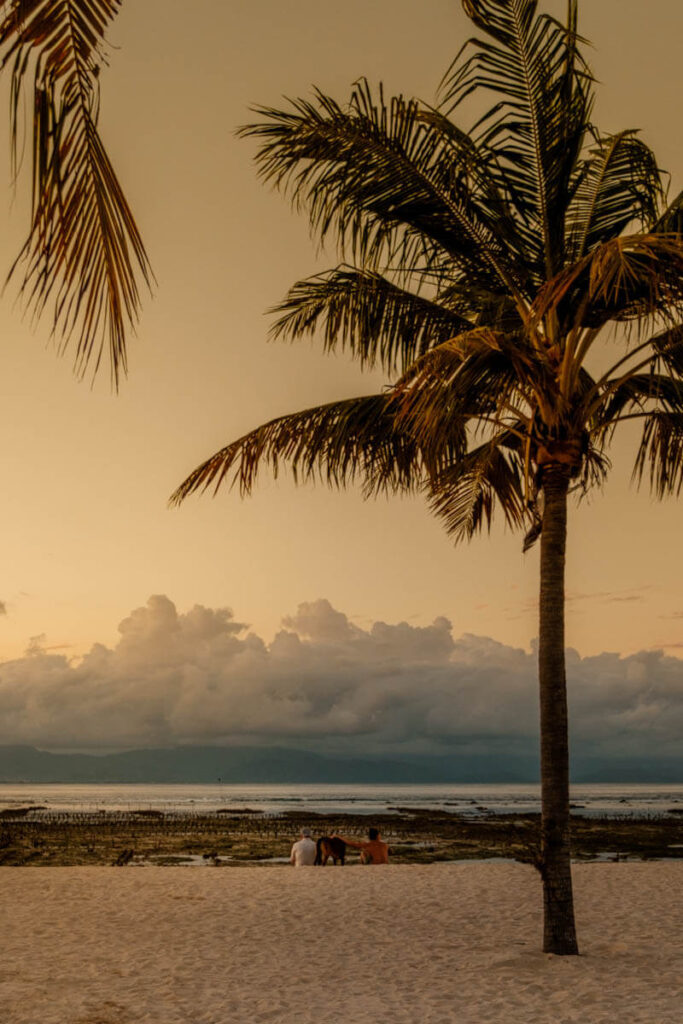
432	944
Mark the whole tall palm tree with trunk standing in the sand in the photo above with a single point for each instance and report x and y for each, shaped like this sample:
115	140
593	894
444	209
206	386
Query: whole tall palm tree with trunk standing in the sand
481	269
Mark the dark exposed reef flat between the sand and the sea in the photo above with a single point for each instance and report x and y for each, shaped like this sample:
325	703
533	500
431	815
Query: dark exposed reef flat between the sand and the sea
33	837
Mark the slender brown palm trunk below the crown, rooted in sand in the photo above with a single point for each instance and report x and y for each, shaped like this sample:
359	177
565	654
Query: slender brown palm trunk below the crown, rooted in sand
560	930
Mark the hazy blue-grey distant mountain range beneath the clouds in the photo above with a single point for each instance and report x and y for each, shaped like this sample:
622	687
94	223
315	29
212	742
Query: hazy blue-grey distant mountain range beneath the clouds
273	765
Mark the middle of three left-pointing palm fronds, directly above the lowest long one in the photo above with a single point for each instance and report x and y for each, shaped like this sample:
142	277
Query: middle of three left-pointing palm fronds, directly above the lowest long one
375	319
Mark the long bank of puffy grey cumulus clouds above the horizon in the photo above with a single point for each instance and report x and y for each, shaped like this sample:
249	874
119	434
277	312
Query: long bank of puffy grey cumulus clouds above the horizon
201	677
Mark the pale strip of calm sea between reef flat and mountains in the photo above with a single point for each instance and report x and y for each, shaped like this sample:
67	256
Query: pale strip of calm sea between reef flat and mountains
471	800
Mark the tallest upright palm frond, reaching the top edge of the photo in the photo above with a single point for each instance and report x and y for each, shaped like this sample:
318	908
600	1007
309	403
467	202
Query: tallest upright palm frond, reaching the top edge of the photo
537	129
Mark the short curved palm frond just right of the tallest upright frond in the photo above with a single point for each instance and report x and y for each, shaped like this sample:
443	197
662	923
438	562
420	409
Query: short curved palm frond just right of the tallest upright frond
620	185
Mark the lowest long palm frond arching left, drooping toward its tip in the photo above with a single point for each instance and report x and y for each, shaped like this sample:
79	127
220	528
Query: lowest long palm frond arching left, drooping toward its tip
341	443
